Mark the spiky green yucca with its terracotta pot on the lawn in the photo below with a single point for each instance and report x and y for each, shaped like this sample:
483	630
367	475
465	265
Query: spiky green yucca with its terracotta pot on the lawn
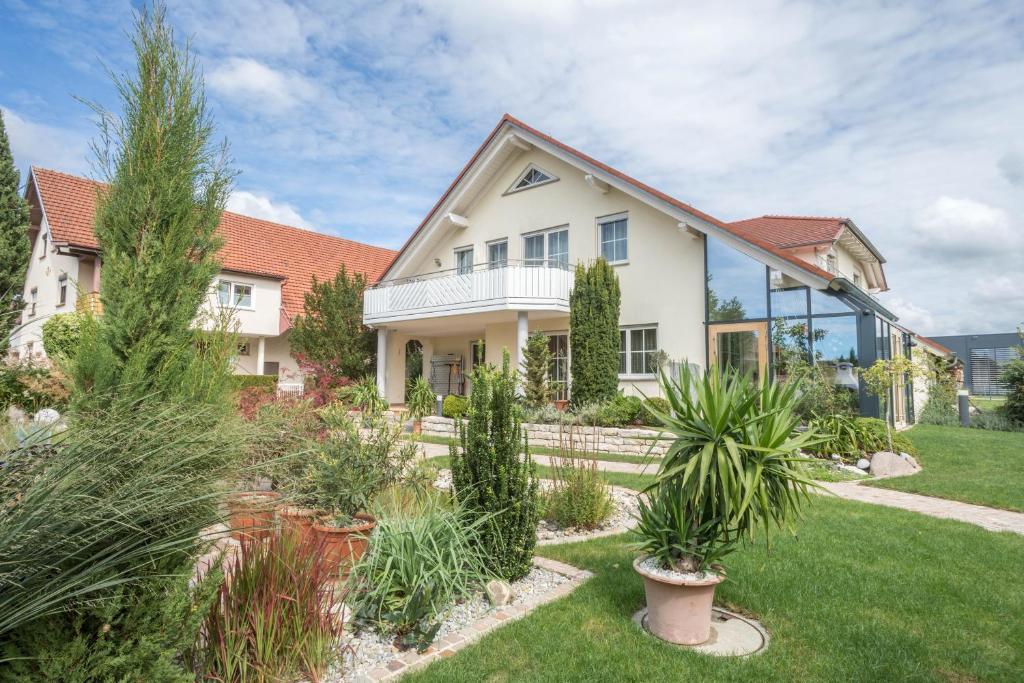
735	464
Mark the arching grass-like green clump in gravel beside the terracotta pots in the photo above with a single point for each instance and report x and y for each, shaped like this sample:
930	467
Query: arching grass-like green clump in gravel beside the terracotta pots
418	566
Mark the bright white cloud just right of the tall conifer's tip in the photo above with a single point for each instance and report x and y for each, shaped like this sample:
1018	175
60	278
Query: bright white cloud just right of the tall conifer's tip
261	87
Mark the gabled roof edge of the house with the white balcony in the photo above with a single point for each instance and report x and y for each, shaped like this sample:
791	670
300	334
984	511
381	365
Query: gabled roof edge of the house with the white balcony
511	122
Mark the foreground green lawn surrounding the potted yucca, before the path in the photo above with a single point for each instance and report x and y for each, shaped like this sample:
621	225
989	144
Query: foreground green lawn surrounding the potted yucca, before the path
865	593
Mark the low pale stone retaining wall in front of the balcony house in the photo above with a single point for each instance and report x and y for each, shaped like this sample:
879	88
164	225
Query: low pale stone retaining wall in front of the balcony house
601	440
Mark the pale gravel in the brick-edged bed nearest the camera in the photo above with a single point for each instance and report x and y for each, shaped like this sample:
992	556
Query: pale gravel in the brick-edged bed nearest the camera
369	650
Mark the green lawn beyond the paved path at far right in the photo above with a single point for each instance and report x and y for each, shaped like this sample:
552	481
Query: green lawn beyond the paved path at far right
970	465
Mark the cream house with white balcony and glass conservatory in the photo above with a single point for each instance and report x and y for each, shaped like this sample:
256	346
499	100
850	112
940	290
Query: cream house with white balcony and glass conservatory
493	262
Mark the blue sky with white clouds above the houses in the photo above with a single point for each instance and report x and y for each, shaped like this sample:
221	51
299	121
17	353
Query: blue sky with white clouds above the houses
353	118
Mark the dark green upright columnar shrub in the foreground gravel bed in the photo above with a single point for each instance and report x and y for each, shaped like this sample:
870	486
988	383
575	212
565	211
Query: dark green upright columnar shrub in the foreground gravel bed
491	480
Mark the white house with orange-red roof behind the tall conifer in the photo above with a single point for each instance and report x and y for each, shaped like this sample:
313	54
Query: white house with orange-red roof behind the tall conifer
268	270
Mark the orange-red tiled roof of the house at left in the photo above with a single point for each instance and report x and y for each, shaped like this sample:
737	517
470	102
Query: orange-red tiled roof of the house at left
251	246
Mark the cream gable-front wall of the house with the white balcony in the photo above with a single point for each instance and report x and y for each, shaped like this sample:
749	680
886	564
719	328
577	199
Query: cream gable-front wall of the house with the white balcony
662	284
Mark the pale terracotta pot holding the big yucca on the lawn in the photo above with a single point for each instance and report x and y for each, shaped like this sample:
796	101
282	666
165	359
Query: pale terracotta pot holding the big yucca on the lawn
678	610
